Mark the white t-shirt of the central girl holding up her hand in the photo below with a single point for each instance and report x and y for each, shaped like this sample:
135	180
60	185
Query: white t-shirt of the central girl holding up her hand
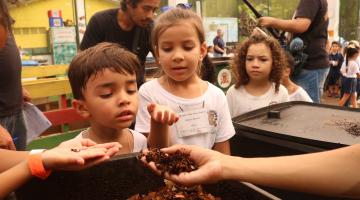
213	100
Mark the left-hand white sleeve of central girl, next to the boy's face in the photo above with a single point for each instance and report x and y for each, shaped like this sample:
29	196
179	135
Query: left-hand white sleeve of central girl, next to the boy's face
142	123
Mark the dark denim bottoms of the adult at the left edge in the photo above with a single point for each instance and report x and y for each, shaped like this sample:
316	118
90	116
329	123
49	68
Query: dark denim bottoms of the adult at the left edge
15	124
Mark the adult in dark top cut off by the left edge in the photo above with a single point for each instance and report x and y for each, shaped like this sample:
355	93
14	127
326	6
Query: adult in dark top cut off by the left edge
12	95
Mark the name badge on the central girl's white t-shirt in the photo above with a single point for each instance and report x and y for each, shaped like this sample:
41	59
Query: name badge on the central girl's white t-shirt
193	122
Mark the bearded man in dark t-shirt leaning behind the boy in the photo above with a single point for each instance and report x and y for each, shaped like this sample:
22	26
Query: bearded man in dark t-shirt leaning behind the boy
129	26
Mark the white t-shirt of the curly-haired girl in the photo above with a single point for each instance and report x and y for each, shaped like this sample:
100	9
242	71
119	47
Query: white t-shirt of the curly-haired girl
240	101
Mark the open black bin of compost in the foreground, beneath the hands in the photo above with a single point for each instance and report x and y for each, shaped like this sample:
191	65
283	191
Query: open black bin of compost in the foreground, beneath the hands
121	178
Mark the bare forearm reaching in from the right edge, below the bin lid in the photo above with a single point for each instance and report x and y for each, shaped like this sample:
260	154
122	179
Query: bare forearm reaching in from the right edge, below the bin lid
334	173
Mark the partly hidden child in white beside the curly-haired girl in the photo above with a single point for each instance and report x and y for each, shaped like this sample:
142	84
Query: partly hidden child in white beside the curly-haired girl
296	93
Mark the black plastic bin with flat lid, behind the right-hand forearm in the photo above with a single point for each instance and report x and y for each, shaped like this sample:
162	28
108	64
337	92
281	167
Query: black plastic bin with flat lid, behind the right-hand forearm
302	128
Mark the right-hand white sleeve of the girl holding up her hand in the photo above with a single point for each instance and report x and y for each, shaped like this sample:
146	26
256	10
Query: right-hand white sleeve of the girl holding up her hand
226	128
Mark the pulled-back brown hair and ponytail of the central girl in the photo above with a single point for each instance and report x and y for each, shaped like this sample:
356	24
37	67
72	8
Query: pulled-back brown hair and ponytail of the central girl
177	16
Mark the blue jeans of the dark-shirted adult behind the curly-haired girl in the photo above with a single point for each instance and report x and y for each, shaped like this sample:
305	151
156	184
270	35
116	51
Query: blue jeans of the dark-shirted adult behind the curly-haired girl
313	82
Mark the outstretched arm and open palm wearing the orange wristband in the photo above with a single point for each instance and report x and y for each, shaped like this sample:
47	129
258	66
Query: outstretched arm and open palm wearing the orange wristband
15	170
